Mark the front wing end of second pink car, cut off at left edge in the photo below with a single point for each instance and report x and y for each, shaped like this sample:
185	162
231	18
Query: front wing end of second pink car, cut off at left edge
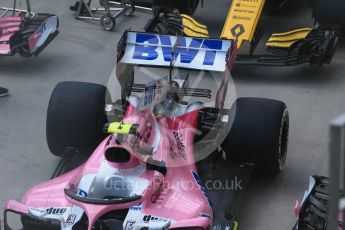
24	32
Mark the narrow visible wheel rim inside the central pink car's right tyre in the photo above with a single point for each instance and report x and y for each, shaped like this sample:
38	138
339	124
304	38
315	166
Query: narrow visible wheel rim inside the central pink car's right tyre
283	141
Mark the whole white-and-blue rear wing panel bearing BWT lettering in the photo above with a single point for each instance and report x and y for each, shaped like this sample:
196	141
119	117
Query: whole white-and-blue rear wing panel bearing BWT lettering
183	52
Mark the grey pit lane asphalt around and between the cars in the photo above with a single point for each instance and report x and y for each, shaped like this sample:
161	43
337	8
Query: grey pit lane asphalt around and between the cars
84	52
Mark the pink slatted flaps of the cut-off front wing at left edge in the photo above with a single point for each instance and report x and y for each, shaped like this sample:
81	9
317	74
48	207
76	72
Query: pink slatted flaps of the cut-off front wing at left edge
8	26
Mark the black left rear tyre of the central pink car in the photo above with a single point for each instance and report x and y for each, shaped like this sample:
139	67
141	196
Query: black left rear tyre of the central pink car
75	117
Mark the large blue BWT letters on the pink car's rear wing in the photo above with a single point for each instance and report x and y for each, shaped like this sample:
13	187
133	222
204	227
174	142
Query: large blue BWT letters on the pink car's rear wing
149	47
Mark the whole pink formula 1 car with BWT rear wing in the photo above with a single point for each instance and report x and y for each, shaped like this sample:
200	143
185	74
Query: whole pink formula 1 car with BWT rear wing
171	153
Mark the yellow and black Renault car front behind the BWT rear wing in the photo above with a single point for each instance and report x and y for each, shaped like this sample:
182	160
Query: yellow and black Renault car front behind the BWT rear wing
315	45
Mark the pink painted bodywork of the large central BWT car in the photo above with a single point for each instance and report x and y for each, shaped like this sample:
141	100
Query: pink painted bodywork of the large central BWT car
182	201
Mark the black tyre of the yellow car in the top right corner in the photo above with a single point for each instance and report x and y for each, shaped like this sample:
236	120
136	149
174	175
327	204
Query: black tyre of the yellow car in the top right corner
329	12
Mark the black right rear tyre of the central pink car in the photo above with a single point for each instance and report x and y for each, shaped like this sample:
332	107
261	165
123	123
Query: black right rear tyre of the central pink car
259	134
